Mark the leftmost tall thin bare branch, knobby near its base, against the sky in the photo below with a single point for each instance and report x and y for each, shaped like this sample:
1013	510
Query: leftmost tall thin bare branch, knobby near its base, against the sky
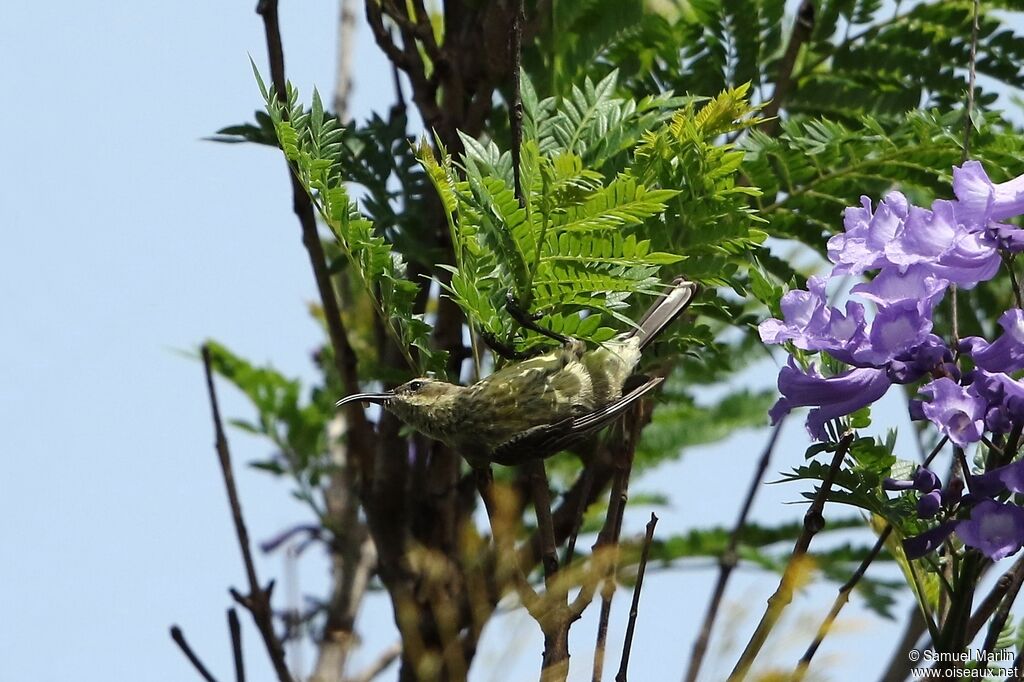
259	600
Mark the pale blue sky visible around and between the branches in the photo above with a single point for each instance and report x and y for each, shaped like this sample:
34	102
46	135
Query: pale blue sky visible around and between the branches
124	239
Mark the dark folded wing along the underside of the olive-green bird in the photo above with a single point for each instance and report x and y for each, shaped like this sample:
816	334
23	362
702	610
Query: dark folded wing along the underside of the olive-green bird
546	440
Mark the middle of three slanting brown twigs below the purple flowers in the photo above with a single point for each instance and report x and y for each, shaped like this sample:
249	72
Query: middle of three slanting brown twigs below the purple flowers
814	523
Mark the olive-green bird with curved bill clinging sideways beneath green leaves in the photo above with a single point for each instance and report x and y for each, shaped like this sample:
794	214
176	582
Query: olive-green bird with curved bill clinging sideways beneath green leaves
538	407
